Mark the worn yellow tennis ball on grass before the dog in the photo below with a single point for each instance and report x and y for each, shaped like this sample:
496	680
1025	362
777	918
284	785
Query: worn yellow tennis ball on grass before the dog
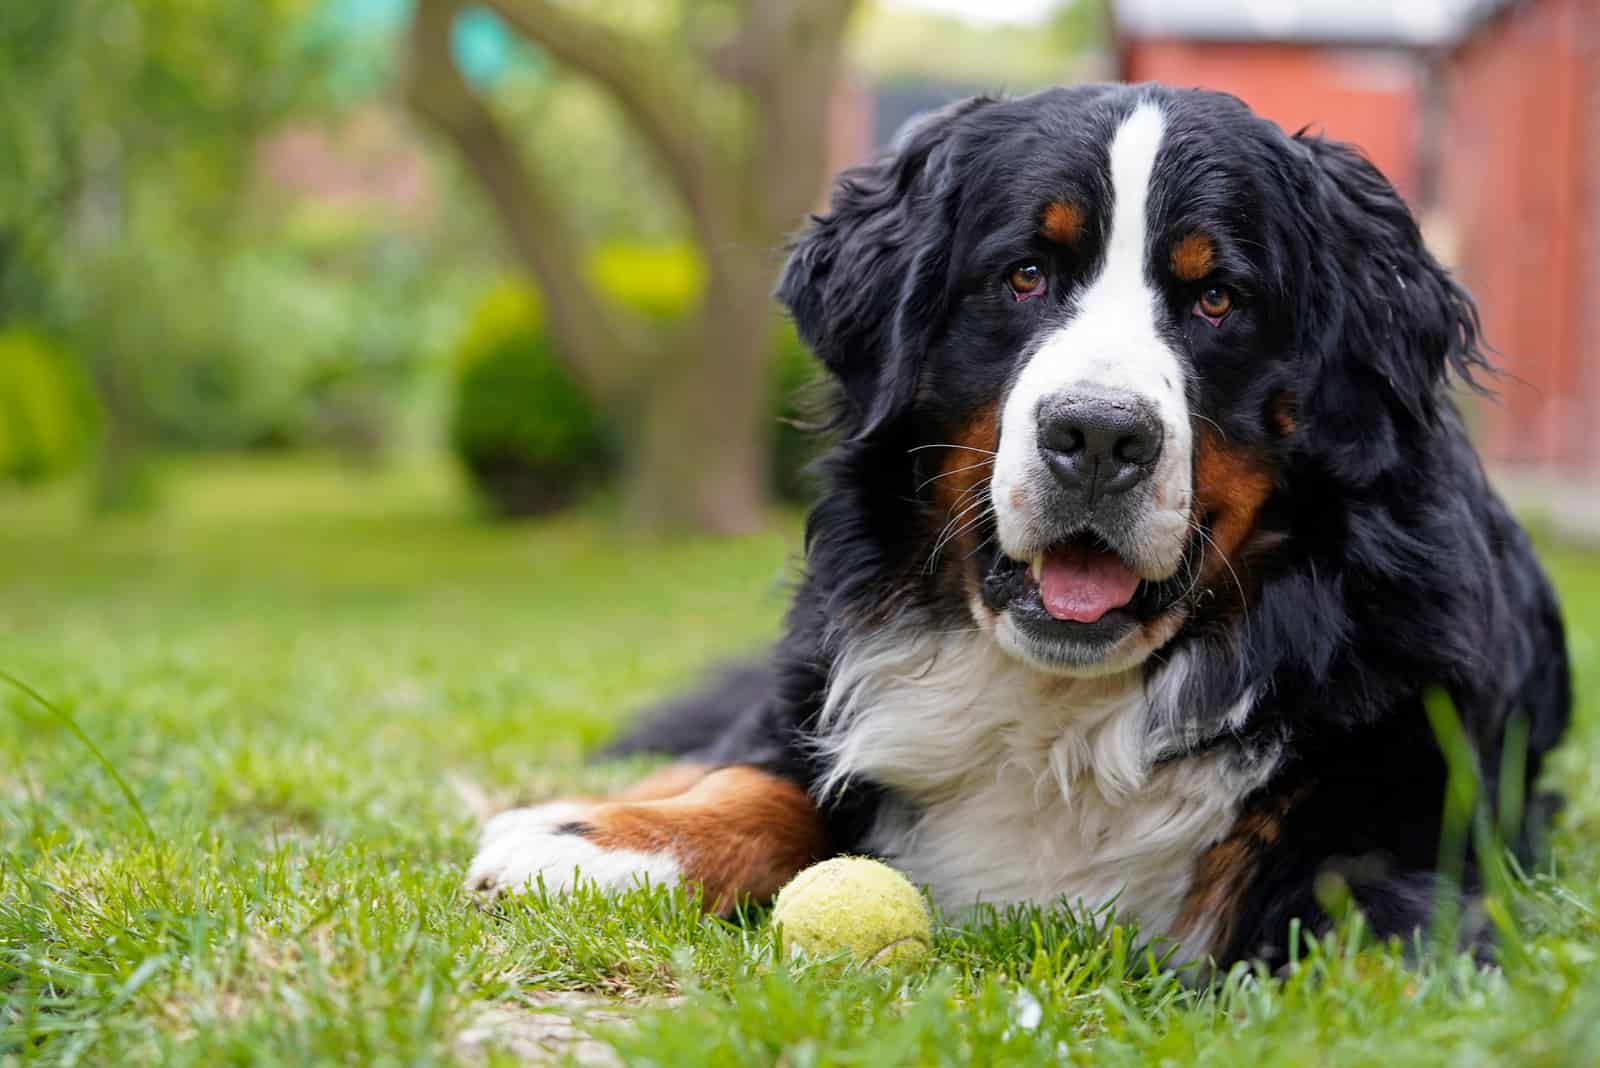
854	904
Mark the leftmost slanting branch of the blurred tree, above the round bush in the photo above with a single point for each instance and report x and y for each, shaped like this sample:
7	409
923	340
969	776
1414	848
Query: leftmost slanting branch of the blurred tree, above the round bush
599	340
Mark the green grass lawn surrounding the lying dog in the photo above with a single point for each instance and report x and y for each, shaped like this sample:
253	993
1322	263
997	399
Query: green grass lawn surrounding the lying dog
298	669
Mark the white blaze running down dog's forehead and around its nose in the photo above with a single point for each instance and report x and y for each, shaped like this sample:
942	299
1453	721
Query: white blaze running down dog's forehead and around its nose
1111	343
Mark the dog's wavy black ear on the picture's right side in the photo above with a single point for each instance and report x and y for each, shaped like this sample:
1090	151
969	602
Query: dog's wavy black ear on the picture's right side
1380	317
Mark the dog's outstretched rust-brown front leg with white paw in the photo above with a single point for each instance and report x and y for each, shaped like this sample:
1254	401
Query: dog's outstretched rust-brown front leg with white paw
737	832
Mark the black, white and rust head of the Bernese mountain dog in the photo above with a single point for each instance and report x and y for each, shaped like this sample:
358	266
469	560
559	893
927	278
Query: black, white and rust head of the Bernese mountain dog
1097	327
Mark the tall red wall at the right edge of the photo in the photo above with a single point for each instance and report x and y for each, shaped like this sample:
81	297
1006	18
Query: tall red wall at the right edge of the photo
1521	183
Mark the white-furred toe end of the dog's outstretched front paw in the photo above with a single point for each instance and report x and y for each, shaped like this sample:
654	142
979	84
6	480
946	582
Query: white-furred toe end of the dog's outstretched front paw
524	847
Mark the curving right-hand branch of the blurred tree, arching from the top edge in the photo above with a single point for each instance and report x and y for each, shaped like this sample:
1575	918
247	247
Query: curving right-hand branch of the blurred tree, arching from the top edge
641	79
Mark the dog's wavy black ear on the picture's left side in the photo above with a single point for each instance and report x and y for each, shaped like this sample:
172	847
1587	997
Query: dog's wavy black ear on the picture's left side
868	281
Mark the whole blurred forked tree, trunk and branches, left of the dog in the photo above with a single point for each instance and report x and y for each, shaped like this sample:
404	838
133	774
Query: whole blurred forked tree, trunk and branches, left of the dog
697	405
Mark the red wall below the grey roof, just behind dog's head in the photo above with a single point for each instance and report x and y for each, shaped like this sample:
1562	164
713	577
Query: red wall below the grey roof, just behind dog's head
1361	95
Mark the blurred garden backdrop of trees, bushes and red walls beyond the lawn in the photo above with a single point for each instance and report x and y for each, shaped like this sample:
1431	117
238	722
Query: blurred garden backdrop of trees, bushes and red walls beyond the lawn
524	249
